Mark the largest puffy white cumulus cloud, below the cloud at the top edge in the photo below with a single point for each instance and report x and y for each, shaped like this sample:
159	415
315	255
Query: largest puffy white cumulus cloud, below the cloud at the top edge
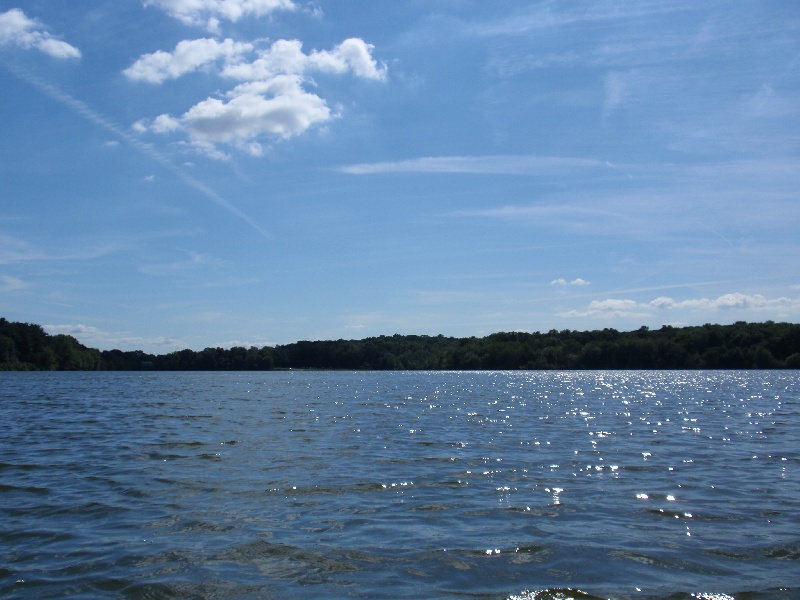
272	100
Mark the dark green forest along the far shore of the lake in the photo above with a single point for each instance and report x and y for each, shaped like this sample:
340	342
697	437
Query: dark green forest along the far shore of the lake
768	345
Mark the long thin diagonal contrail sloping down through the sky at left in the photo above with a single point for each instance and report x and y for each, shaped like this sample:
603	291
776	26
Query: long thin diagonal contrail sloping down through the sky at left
91	115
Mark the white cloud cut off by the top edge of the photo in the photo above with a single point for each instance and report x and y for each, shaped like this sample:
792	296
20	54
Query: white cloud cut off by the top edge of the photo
209	12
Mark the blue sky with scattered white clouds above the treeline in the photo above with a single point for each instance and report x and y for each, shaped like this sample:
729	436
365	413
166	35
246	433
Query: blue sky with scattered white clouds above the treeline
191	173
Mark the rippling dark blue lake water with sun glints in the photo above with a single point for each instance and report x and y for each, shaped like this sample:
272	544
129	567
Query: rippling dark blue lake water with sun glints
498	485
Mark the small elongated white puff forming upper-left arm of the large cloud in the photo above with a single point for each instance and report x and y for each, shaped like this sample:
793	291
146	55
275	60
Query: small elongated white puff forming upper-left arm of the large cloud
188	56
